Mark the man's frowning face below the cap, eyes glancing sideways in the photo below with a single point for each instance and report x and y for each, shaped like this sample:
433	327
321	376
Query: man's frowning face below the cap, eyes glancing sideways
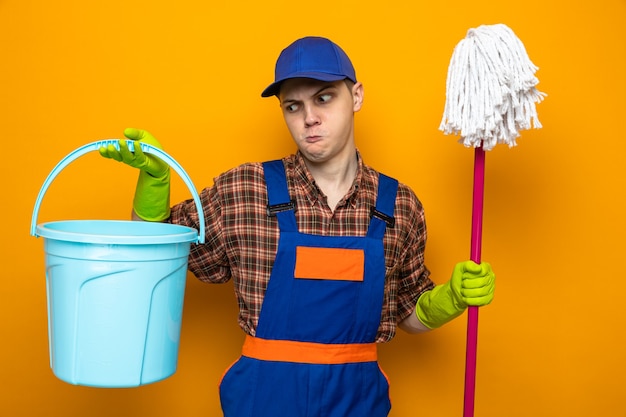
320	117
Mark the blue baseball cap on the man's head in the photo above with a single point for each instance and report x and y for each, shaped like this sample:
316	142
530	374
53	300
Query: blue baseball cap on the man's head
311	57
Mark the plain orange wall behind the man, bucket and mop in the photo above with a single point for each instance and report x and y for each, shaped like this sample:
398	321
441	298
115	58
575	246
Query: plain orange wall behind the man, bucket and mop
191	72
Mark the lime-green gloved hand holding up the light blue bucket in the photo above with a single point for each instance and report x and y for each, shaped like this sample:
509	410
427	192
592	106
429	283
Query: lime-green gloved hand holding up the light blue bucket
152	196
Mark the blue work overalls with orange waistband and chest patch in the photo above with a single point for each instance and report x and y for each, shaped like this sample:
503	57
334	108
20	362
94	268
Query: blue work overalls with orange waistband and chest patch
314	354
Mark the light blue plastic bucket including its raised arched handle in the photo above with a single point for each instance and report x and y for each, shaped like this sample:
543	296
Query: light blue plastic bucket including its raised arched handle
115	290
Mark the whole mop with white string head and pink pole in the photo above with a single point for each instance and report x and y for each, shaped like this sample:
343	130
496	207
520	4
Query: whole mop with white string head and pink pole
490	97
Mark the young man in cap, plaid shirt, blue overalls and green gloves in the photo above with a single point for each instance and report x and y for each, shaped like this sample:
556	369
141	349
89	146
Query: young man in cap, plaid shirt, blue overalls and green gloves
326	254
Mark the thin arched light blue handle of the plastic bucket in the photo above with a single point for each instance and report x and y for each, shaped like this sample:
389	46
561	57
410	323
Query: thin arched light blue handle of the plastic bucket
94	146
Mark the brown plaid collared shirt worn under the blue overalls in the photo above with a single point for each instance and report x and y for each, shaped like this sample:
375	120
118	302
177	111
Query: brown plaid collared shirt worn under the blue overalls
241	240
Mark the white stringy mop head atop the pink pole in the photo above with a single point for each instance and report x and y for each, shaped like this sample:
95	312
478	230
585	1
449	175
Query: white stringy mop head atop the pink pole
491	92
